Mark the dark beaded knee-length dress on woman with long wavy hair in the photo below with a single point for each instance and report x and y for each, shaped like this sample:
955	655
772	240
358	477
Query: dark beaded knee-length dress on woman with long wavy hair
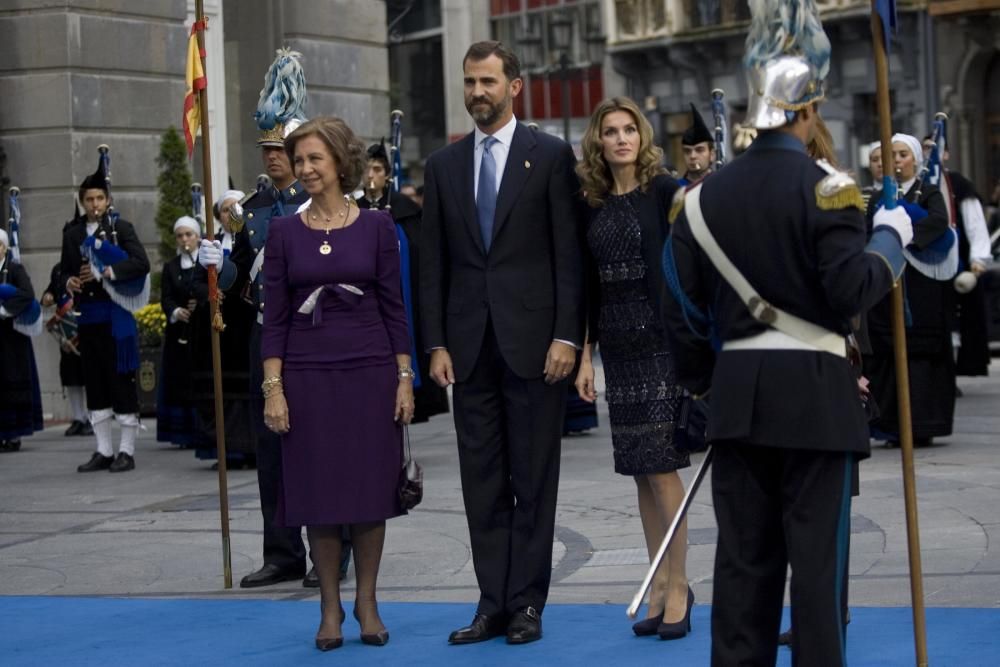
638	366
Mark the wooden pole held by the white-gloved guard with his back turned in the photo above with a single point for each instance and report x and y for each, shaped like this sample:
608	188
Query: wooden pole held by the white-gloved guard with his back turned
883	16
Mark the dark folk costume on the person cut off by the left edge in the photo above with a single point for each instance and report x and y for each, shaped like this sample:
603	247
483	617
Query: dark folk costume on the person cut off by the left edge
20	319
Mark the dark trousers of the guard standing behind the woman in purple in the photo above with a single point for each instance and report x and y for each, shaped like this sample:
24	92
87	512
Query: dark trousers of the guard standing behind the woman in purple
282	546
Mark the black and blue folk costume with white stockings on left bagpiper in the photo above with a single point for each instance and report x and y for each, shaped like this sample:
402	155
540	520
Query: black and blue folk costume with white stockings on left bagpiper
109	342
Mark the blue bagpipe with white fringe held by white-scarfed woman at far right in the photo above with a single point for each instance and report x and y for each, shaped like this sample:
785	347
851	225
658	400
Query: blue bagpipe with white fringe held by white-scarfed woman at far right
939	260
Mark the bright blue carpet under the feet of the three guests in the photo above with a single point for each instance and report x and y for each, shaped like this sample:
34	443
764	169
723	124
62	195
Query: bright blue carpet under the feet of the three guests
113	631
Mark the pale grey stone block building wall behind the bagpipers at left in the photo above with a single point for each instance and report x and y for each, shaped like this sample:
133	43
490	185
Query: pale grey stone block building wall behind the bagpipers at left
79	73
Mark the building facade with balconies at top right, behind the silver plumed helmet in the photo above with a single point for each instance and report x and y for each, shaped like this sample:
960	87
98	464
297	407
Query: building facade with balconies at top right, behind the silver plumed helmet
672	52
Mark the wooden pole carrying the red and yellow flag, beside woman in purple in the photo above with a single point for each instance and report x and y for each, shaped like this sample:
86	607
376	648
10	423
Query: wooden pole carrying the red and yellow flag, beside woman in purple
213	300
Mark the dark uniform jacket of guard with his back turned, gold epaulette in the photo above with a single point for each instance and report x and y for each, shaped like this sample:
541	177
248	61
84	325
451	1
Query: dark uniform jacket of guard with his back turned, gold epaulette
809	261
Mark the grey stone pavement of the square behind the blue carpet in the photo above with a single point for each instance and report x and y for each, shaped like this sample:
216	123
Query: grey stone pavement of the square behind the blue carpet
155	531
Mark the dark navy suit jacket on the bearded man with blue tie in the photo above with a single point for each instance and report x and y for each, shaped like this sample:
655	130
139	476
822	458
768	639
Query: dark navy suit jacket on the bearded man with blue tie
530	284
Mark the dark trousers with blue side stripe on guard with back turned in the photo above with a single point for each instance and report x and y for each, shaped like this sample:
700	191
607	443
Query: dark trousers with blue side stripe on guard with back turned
776	507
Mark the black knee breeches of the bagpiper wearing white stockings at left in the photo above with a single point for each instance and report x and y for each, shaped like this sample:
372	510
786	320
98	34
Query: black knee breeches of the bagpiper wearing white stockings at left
106	387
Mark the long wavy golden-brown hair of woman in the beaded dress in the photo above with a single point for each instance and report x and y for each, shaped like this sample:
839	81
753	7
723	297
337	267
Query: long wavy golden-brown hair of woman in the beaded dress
595	176
